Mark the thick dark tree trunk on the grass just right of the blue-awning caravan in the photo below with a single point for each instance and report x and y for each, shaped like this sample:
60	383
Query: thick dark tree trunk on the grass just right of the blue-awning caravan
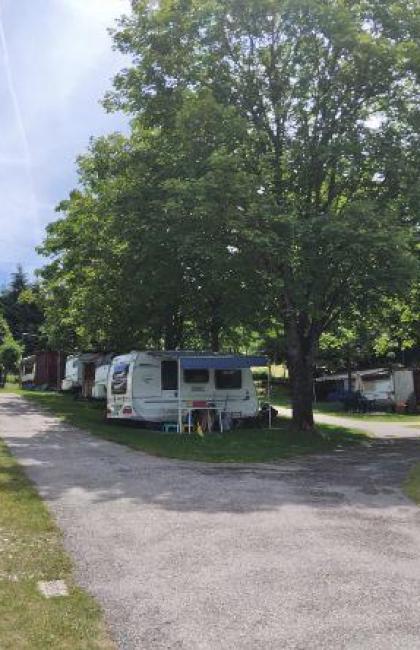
300	351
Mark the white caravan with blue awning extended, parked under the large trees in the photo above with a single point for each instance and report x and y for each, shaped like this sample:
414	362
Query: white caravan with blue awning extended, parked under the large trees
165	387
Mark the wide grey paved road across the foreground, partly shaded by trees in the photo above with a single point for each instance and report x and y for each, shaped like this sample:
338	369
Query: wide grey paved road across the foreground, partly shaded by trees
323	552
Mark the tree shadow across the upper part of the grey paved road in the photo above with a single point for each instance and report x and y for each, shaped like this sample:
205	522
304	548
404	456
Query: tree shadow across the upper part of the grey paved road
63	460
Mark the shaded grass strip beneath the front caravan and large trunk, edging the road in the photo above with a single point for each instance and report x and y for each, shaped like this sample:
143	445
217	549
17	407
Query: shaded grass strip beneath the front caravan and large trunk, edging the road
245	445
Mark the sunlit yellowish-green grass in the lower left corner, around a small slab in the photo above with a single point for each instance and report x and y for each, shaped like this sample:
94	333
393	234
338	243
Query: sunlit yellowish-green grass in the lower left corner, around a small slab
31	550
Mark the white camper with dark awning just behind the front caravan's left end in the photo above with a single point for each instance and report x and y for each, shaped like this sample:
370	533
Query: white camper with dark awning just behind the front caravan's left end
81	373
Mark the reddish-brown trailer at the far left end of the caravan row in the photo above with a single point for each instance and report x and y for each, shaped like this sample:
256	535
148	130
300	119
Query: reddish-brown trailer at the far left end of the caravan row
42	369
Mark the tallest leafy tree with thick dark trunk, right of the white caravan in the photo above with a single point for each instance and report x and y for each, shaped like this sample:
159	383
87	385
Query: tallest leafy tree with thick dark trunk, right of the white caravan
327	90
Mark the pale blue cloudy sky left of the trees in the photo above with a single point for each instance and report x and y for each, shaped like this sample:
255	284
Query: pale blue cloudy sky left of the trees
56	62
